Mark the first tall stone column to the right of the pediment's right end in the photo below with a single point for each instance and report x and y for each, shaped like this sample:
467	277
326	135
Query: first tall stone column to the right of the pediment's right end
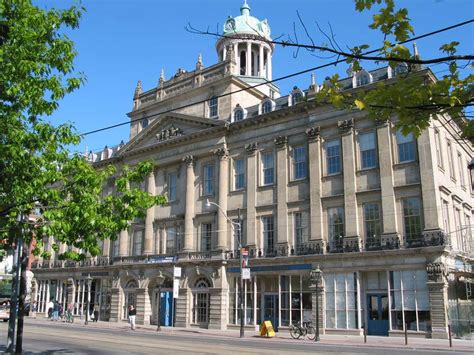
251	195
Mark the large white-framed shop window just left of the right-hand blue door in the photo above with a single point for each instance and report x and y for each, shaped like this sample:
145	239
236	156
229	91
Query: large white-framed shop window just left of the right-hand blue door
341	300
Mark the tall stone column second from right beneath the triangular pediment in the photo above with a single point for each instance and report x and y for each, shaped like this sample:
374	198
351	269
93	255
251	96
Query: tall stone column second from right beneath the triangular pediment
189	211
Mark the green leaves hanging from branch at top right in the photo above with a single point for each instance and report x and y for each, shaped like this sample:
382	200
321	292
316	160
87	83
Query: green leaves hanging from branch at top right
414	97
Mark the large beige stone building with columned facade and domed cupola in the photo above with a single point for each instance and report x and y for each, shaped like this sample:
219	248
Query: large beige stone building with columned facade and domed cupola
387	217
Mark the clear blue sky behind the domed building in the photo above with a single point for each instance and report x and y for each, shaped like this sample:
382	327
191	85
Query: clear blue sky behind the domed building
121	41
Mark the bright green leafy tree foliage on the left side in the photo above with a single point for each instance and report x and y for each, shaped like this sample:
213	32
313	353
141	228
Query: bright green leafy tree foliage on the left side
37	171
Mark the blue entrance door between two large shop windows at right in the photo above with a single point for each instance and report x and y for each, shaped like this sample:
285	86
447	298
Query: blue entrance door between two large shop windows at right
377	314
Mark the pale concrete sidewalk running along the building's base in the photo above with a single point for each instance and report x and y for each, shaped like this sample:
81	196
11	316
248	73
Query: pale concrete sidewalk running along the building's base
344	340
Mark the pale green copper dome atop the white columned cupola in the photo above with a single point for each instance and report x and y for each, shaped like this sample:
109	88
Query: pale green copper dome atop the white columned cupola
246	24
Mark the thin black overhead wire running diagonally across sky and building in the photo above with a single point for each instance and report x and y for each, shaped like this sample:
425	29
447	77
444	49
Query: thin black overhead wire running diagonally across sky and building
460	24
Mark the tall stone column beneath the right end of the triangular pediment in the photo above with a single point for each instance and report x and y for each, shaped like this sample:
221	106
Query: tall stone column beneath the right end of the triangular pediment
223	155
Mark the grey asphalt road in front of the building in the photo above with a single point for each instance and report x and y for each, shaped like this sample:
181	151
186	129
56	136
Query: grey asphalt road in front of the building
58	338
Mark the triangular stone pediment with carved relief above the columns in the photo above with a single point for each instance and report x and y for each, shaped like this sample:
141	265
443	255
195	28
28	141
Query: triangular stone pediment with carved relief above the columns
167	128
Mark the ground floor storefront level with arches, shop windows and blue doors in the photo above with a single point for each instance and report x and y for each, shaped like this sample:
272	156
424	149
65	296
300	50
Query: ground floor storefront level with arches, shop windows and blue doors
383	293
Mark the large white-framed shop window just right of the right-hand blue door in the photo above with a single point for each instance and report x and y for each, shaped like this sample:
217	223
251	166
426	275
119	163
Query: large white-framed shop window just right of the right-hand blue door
409	300
